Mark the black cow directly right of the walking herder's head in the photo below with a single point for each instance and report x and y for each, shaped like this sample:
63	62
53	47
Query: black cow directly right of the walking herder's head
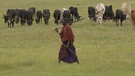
74	13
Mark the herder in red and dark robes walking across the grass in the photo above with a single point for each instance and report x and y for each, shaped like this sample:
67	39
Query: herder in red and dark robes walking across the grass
67	50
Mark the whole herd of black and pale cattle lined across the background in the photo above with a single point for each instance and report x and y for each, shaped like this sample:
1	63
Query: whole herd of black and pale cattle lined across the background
98	14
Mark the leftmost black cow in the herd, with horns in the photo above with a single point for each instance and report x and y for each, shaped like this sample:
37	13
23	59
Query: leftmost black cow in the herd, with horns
10	17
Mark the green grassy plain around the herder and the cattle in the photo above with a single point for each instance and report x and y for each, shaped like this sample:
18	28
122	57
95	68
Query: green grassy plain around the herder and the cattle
103	50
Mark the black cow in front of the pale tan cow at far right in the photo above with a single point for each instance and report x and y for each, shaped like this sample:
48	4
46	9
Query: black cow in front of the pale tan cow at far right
119	16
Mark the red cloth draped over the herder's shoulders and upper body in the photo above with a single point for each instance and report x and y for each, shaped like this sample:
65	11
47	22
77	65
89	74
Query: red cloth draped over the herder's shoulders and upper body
67	34
